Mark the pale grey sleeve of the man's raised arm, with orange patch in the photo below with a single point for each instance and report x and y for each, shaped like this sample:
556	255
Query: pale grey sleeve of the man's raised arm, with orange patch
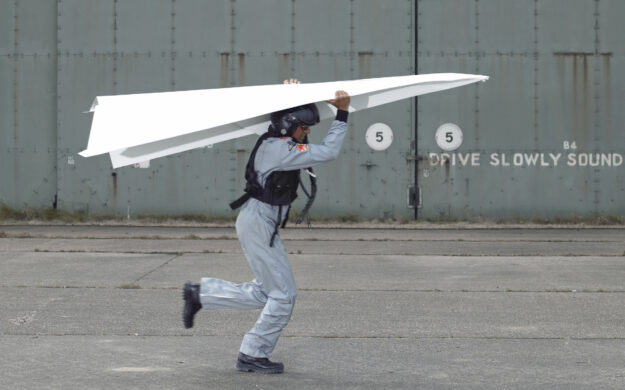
297	156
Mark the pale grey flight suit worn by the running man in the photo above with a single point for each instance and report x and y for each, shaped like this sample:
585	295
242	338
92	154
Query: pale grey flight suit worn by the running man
273	288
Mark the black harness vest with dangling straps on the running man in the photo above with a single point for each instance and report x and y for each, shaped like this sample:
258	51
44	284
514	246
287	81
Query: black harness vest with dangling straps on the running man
280	189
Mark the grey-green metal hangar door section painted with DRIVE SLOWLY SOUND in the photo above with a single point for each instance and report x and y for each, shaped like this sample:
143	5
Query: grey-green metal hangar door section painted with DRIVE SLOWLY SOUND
546	130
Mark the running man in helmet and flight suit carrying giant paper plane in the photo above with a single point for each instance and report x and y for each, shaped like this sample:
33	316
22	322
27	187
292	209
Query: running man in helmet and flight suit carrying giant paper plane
272	179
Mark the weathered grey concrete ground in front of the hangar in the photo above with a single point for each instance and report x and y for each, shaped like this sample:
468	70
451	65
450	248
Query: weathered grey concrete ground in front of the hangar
99	307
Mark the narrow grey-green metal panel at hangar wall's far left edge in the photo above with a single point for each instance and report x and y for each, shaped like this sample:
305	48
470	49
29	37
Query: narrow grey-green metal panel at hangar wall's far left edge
28	124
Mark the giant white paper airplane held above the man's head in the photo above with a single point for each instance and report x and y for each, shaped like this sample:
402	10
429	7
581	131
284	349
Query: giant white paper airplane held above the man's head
142	127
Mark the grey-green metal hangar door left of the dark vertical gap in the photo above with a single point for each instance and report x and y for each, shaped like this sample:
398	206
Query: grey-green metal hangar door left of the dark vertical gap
84	48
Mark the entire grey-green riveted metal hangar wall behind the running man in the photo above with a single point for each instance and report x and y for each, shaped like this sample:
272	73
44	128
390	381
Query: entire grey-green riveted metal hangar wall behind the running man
553	84
